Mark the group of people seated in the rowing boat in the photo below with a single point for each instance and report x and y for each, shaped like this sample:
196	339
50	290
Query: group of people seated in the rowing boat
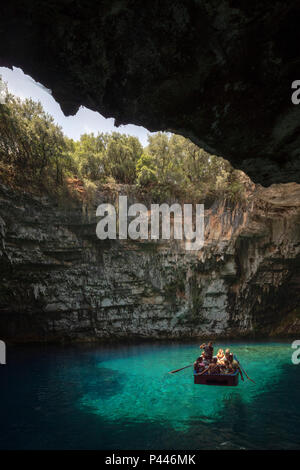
222	363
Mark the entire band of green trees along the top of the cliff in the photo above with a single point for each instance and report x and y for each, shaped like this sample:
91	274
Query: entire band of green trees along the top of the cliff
170	167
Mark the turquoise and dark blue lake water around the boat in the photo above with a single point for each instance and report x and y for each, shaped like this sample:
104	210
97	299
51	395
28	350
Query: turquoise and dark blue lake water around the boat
122	397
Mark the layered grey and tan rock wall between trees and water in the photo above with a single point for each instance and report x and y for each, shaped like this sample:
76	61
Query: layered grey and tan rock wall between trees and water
60	282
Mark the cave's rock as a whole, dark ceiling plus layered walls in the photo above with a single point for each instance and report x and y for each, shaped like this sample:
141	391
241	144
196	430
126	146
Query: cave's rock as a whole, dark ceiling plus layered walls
219	73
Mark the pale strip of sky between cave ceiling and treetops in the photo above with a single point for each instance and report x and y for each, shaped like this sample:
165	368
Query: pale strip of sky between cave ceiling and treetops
85	121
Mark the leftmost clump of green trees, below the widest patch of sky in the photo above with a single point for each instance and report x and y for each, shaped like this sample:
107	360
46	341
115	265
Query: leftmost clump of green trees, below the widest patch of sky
31	141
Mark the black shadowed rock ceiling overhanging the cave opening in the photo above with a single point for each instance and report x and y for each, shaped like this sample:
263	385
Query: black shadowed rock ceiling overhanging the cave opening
219	72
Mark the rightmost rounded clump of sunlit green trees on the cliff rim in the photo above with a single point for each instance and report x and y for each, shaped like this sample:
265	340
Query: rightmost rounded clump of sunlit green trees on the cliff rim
173	166
